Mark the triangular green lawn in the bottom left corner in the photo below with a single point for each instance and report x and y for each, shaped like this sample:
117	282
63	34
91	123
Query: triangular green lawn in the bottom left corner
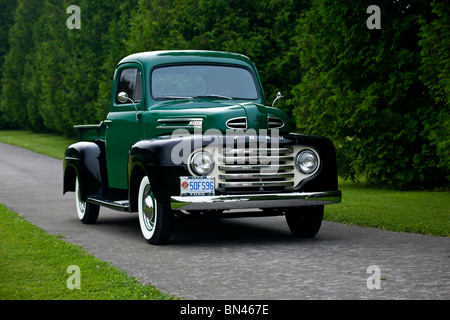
34	266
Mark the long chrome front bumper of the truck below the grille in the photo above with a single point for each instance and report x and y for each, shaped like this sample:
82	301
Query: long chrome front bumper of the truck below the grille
250	201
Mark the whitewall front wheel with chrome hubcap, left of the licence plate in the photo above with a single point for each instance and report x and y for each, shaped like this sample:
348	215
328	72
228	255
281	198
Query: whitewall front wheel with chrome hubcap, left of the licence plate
155	218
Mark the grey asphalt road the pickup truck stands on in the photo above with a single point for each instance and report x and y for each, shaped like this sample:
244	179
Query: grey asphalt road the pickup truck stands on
242	258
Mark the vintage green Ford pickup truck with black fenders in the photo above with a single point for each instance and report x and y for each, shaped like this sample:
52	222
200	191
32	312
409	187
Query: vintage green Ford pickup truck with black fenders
188	133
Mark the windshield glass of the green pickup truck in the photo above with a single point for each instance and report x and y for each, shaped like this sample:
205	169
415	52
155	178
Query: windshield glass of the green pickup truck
203	81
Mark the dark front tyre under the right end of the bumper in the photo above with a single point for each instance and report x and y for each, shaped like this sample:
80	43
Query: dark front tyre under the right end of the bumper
304	222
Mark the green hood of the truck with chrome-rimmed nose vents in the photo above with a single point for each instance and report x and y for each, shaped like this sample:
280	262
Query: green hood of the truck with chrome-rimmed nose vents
221	115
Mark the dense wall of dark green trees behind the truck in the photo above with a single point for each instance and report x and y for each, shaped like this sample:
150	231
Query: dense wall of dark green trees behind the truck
382	95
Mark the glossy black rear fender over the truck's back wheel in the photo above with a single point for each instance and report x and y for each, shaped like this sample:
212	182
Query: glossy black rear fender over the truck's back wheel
85	160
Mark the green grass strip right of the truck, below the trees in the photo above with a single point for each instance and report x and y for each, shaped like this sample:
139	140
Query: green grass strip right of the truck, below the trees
420	212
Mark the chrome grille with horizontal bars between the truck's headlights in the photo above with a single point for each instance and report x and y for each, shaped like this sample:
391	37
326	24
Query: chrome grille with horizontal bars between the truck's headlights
255	169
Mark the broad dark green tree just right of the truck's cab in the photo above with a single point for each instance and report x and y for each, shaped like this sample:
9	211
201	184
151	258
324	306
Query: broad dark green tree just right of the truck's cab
361	88
